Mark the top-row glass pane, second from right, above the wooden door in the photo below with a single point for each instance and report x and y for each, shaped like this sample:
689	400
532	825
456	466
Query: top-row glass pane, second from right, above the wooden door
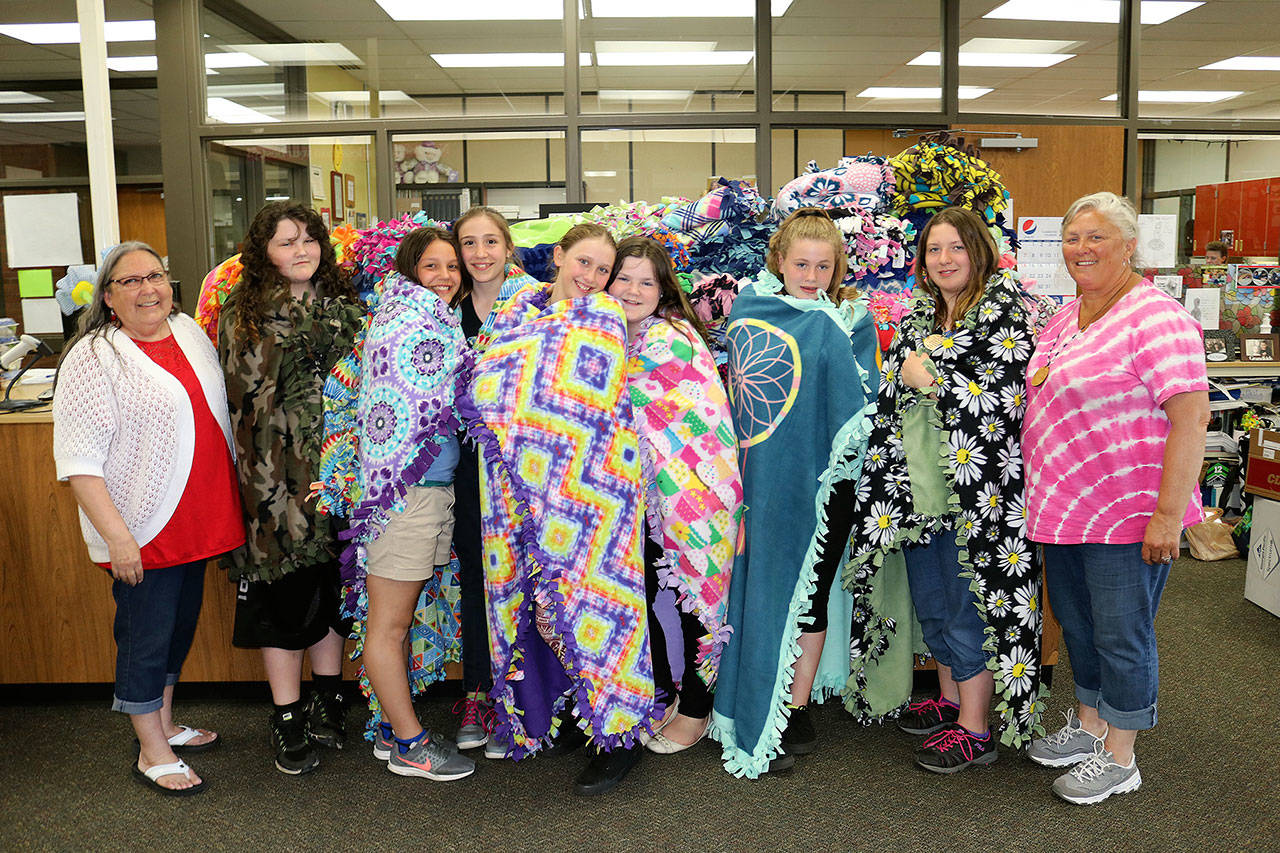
1021	63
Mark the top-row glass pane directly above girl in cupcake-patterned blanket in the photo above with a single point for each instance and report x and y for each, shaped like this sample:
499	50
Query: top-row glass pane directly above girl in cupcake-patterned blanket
660	65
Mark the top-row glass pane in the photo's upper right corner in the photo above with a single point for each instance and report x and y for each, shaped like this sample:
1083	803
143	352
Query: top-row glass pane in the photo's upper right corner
1218	61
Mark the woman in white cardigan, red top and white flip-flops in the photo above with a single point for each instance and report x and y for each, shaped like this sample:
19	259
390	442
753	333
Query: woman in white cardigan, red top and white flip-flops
141	432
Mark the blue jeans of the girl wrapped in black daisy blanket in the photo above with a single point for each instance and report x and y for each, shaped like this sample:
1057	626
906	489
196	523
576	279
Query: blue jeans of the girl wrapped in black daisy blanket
948	610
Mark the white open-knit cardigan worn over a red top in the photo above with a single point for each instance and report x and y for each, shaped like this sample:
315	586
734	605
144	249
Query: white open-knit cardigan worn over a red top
122	417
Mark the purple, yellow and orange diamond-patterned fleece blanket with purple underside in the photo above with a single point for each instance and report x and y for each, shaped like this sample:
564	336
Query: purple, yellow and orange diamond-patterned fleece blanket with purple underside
563	530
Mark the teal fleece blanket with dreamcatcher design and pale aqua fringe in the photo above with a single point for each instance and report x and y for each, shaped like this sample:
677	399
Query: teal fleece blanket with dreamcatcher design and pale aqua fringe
802	378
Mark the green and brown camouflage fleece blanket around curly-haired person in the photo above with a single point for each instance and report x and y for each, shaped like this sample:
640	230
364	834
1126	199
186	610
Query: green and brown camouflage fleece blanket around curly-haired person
273	390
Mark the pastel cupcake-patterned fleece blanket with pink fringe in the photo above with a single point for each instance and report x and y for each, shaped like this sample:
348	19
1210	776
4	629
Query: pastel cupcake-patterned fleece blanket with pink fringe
696	492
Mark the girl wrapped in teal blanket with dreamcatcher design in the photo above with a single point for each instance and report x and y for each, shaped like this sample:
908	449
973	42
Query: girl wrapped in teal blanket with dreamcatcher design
802	382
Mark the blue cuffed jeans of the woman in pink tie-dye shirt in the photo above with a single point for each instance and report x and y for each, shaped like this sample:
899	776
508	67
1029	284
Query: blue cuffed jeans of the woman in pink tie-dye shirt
1107	599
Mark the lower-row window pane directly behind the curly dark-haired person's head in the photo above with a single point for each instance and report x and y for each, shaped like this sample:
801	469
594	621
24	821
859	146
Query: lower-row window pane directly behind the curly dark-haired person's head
244	175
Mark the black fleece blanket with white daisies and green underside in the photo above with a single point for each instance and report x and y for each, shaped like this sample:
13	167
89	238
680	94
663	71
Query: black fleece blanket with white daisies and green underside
953	468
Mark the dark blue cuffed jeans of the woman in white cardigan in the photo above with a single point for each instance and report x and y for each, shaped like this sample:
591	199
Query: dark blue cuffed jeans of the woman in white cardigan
156	623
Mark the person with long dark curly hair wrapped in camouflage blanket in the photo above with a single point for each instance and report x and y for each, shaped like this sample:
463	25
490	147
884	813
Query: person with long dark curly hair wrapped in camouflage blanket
291	317
